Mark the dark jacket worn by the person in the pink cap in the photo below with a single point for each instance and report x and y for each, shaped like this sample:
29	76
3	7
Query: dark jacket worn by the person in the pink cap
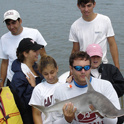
111	73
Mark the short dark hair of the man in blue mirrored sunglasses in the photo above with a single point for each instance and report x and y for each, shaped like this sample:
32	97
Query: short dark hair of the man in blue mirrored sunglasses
79	55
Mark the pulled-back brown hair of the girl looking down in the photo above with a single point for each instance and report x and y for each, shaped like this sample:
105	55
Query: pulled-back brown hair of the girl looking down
44	61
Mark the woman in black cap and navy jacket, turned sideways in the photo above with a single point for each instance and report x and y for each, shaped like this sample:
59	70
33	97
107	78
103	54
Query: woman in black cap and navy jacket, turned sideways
23	66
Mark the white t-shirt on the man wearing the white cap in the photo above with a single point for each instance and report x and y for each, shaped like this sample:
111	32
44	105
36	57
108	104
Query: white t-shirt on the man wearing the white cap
9	44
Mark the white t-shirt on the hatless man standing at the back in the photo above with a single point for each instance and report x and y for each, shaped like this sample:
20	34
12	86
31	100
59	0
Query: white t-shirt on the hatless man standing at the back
95	31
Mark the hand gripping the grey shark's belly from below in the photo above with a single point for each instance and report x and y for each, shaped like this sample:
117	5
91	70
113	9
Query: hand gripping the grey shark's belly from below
69	112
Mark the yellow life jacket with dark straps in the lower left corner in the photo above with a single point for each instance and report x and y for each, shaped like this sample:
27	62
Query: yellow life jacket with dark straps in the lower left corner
9	113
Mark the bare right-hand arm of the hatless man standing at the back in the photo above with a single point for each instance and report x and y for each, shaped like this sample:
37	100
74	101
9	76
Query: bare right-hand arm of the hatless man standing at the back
114	51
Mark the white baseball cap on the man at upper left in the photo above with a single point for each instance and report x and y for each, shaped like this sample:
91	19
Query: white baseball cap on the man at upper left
11	14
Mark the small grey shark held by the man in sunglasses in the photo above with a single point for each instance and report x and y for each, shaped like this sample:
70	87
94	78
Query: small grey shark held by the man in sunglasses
100	103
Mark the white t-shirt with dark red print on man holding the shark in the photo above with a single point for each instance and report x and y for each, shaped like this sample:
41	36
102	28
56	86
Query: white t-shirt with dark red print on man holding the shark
101	86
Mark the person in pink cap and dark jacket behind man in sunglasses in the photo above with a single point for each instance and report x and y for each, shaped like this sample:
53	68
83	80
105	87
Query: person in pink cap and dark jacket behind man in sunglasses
106	71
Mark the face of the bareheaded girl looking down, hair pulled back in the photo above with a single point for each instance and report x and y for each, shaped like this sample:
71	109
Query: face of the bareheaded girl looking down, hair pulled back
50	74
